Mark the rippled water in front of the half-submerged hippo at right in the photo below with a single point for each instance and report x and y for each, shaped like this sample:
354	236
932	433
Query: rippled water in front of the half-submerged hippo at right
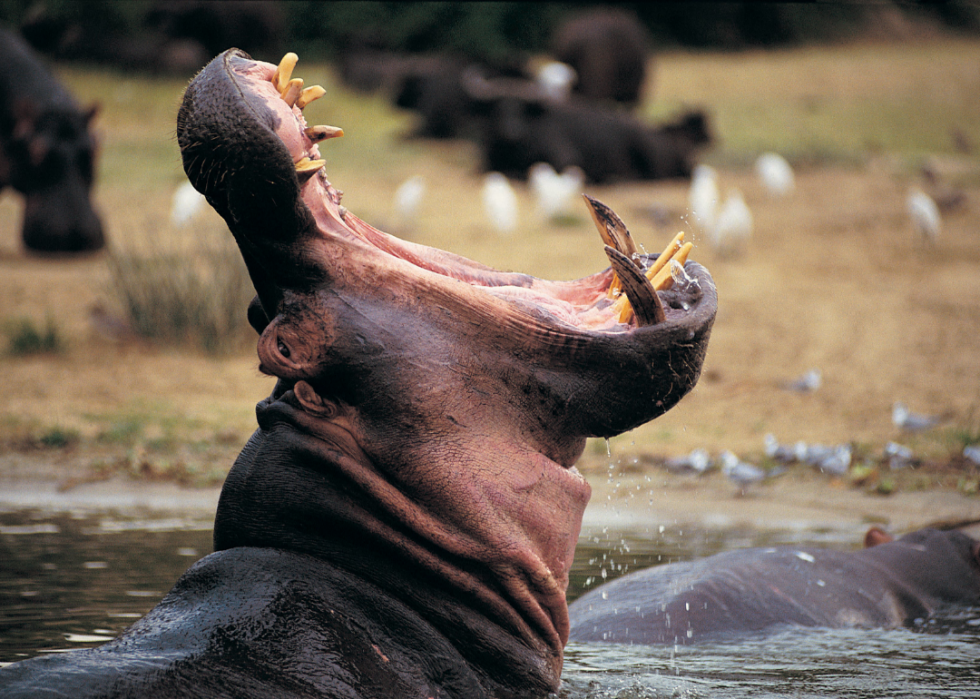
798	663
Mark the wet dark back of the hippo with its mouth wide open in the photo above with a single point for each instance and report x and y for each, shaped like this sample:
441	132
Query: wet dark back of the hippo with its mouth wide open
253	622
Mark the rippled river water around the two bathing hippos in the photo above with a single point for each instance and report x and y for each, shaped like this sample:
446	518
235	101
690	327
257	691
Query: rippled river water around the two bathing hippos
72	580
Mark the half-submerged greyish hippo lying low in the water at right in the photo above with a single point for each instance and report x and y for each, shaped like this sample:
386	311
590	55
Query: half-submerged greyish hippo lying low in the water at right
889	583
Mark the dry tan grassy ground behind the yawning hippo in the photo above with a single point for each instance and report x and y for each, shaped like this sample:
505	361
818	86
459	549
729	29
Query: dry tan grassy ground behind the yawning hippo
834	277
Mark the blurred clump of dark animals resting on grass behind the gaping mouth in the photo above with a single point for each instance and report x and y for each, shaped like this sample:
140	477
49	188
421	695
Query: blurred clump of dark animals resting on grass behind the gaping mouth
519	119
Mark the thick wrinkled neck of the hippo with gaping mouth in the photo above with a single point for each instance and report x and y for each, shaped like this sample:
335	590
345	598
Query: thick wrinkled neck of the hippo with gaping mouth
491	577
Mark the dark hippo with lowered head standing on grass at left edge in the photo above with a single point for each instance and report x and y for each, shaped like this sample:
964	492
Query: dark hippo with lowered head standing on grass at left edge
47	153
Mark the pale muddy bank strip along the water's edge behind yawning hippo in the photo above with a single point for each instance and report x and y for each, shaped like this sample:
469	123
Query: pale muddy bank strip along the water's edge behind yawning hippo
798	500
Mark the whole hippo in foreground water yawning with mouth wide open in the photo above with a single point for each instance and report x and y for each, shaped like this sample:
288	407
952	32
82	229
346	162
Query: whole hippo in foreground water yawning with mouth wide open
403	520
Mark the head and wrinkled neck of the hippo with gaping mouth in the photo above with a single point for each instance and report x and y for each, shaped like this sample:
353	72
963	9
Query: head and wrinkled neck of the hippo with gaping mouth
429	409
